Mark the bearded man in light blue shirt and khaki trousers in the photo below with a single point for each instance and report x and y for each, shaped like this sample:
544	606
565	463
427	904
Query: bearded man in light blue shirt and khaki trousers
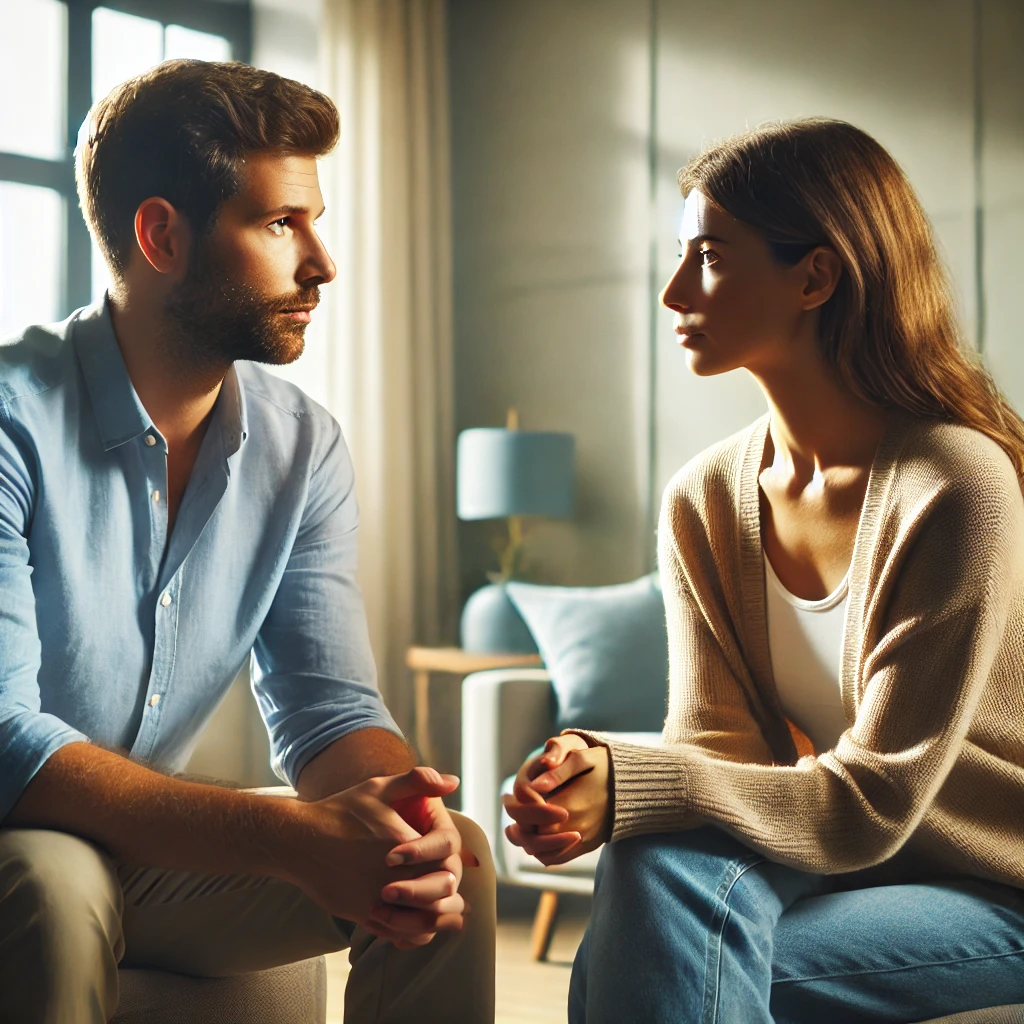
164	510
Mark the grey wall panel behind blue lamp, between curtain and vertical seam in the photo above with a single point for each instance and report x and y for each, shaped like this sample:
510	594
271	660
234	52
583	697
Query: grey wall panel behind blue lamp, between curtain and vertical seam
550	182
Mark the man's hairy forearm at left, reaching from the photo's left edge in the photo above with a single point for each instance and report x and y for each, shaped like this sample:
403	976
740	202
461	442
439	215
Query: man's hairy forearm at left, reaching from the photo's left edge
143	818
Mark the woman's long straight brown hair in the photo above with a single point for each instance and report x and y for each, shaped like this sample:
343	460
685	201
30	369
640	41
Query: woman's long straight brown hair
889	330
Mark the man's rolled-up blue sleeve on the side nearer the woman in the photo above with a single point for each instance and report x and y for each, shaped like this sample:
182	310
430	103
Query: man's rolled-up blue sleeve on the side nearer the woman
314	670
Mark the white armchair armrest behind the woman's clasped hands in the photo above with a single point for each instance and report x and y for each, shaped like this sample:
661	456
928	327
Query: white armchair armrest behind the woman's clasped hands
506	713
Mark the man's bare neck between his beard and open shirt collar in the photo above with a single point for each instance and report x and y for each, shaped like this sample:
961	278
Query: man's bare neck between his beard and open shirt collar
179	397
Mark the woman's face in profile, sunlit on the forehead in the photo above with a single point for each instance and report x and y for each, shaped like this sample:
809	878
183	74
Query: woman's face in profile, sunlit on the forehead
736	305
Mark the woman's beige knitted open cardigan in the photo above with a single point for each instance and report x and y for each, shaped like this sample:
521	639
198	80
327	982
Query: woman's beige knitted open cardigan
932	767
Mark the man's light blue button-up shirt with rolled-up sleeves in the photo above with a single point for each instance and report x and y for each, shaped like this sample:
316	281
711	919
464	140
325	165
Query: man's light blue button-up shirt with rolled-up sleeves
114	633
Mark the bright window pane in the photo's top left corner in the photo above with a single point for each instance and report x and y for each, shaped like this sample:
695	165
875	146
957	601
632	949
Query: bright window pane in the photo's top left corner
33	49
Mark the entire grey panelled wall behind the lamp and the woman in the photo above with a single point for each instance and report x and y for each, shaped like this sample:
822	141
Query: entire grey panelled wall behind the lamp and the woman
560	254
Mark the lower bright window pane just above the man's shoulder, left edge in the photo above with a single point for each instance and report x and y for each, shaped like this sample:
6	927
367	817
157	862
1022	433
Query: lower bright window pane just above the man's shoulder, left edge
32	234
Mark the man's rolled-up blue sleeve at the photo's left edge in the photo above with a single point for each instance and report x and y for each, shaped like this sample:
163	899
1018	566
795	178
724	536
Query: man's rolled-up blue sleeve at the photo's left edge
28	737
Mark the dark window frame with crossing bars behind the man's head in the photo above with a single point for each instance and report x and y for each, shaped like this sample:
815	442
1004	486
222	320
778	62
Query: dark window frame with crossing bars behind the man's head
231	19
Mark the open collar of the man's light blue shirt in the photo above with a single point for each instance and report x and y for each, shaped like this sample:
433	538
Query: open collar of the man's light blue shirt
120	414
